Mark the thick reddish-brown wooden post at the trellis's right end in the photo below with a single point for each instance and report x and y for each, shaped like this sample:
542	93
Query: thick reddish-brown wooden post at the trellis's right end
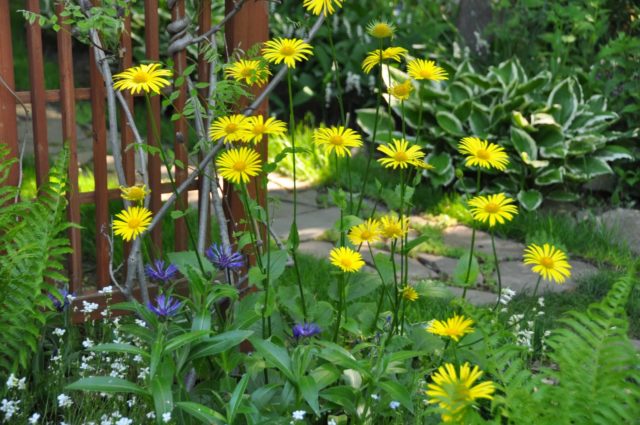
247	28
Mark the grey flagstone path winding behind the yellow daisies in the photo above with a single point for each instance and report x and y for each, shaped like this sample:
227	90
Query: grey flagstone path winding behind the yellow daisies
314	222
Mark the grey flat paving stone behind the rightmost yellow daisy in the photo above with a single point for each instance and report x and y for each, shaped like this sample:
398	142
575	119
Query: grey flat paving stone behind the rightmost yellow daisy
519	277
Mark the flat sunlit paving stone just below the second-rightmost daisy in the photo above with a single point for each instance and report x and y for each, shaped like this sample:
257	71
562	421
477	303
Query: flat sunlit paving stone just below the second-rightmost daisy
460	237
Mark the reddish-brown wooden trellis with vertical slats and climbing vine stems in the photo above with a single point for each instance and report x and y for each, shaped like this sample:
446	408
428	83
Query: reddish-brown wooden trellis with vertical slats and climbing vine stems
246	28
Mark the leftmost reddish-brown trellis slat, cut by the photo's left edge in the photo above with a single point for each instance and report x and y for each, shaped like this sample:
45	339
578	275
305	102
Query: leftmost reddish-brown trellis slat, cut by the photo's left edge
8	118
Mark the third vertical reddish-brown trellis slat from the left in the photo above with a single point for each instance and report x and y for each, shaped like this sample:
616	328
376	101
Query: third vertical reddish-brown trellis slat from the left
67	104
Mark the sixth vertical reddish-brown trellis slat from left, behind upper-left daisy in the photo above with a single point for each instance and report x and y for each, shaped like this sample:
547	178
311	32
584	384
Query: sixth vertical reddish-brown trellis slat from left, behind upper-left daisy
152	42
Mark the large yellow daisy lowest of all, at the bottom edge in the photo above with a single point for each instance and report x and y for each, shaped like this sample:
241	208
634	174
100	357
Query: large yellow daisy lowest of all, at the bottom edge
454	392
